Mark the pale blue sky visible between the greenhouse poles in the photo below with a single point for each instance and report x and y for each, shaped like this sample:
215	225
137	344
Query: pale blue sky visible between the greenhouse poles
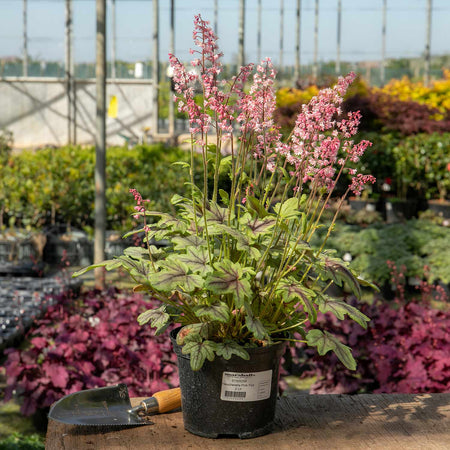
360	39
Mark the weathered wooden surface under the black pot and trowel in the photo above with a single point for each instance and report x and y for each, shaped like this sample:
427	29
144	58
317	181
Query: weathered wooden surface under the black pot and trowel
302	421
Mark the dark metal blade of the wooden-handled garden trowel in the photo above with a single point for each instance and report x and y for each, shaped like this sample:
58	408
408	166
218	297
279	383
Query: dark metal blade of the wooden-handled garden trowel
101	406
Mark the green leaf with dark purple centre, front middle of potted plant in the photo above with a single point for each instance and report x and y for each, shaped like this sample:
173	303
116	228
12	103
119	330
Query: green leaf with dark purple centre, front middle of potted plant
228	278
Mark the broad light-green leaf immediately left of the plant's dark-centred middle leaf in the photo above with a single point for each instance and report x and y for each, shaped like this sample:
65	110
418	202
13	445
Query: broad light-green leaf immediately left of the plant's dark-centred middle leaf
175	274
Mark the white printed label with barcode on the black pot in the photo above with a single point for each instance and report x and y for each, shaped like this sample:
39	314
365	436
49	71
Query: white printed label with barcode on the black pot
246	387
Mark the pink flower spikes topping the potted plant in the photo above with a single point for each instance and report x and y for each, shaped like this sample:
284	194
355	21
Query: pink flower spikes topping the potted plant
321	143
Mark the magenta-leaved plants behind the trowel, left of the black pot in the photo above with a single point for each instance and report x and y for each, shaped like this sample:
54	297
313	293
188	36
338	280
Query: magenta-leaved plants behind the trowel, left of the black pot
93	344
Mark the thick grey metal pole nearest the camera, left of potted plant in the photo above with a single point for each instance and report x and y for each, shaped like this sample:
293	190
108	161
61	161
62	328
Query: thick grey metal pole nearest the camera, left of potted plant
100	144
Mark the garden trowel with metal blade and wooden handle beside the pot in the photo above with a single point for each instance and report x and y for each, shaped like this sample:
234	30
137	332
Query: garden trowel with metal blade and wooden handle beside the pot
111	406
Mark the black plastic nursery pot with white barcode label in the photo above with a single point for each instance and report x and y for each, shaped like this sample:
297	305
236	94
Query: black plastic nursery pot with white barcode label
234	397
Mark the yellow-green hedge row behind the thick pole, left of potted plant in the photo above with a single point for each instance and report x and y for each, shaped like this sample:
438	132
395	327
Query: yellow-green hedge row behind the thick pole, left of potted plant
56	186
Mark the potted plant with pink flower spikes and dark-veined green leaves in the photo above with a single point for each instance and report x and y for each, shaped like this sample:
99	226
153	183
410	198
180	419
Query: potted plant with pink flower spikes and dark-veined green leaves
240	270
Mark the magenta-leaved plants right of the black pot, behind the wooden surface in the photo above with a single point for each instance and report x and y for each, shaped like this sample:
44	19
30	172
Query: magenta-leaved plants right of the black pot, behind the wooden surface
404	350
